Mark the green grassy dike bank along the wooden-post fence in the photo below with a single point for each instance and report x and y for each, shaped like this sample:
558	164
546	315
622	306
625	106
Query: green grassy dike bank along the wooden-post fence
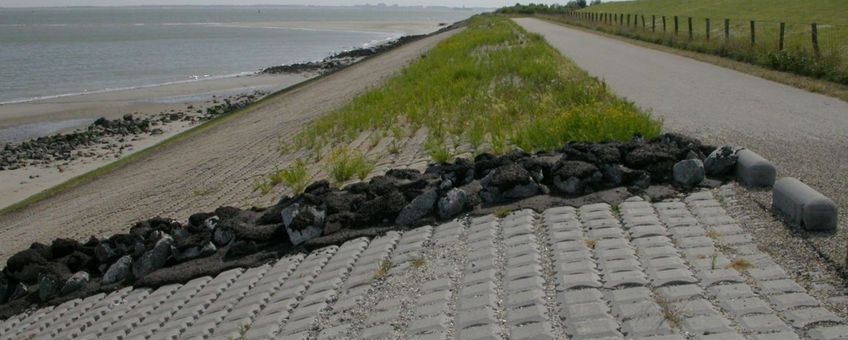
797	57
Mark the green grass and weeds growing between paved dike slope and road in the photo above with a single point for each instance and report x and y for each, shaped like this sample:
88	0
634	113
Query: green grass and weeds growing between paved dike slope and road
494	87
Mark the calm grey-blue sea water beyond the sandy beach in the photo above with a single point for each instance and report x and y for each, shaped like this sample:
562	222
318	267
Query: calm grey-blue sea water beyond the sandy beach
48	52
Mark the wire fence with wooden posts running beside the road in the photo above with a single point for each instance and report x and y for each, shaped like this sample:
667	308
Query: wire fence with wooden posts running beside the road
811	49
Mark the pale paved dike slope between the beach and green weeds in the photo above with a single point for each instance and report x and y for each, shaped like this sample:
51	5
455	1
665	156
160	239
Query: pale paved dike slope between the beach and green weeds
213	168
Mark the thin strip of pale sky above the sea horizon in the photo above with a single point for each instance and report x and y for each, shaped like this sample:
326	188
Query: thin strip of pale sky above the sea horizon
456	3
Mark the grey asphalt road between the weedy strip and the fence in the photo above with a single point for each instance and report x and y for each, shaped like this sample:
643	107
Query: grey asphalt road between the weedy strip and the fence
804	134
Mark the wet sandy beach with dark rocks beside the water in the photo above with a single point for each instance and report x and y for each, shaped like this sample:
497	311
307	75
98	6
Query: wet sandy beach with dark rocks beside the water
22	121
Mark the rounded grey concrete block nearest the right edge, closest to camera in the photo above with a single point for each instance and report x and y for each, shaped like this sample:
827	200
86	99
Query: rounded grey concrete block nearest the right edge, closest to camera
803	205
